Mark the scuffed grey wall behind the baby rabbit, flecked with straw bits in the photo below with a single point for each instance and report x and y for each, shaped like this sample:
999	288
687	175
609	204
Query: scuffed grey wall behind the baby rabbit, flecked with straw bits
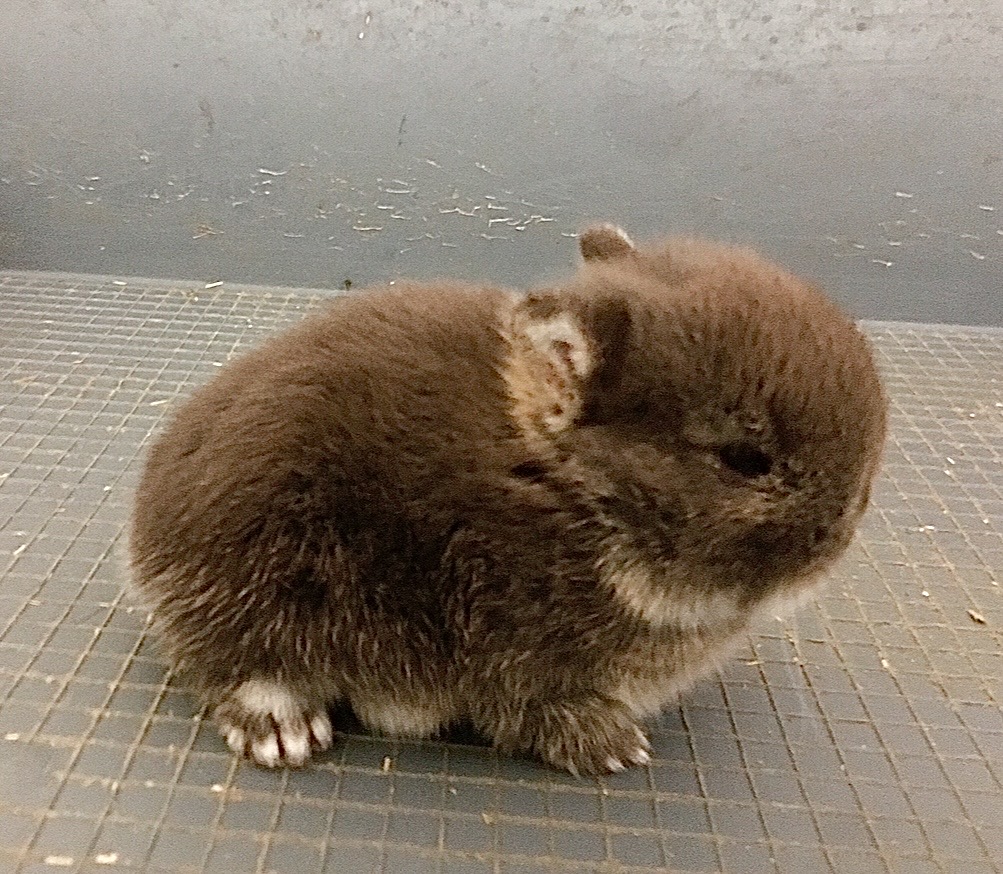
310	143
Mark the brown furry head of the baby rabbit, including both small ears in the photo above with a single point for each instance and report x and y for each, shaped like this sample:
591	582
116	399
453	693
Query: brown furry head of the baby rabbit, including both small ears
726	419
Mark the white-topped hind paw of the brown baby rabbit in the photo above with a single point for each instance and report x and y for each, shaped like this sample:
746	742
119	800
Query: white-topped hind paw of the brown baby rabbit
269	723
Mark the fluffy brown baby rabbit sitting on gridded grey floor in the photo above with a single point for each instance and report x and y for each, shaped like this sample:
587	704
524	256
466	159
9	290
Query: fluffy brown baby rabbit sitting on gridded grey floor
545	514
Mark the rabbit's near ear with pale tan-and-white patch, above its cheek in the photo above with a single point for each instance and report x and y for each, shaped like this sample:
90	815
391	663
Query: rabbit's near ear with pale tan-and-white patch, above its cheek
566	358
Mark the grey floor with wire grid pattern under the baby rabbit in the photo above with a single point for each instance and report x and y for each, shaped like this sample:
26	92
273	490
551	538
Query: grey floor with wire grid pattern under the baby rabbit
865	736
